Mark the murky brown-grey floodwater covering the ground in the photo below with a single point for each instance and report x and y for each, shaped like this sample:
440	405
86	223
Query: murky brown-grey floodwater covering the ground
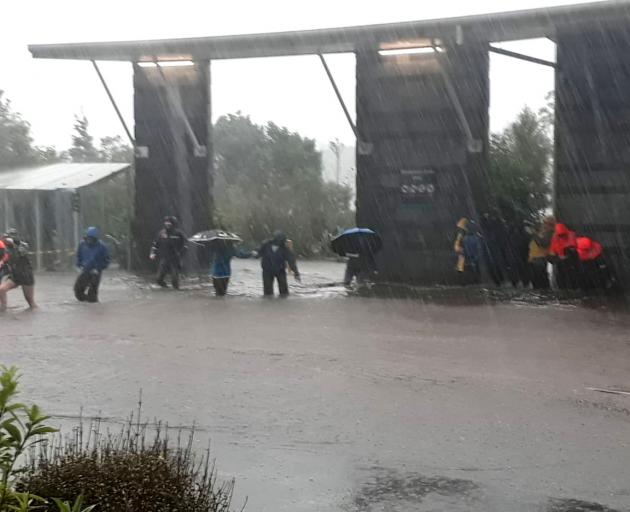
453	400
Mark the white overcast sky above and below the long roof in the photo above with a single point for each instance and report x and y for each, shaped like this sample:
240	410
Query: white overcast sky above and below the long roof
291	91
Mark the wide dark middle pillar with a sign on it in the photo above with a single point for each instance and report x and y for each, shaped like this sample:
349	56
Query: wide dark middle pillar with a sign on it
418	170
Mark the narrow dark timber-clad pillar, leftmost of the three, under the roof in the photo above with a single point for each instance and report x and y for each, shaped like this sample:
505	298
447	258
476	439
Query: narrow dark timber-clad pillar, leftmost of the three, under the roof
172	171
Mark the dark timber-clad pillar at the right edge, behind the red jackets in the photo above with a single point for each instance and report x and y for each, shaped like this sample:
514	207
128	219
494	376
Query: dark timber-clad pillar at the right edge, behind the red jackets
592	184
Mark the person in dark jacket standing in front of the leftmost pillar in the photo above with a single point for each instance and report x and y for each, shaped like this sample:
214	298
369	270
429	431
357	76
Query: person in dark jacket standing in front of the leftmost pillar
168	248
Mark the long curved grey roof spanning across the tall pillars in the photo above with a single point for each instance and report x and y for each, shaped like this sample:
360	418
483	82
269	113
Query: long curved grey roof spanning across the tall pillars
496	27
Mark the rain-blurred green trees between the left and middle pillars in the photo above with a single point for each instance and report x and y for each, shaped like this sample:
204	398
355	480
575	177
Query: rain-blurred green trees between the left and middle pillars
269	178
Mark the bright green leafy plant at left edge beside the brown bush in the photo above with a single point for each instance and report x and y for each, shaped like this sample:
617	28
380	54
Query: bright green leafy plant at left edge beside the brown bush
21	428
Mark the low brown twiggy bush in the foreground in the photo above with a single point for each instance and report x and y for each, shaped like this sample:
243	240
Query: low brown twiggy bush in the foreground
128	472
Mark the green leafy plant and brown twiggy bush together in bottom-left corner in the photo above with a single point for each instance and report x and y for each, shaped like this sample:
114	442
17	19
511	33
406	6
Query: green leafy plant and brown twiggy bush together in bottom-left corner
132	471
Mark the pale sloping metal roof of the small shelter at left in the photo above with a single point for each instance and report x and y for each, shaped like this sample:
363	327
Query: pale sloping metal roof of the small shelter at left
58	176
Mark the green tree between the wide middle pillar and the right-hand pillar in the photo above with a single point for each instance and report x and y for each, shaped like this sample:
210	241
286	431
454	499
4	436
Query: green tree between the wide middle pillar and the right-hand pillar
519	169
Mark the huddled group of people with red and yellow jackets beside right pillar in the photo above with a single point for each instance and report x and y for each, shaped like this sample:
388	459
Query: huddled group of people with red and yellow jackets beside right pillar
512	251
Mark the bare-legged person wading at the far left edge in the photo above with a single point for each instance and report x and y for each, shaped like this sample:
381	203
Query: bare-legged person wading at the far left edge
19	270
